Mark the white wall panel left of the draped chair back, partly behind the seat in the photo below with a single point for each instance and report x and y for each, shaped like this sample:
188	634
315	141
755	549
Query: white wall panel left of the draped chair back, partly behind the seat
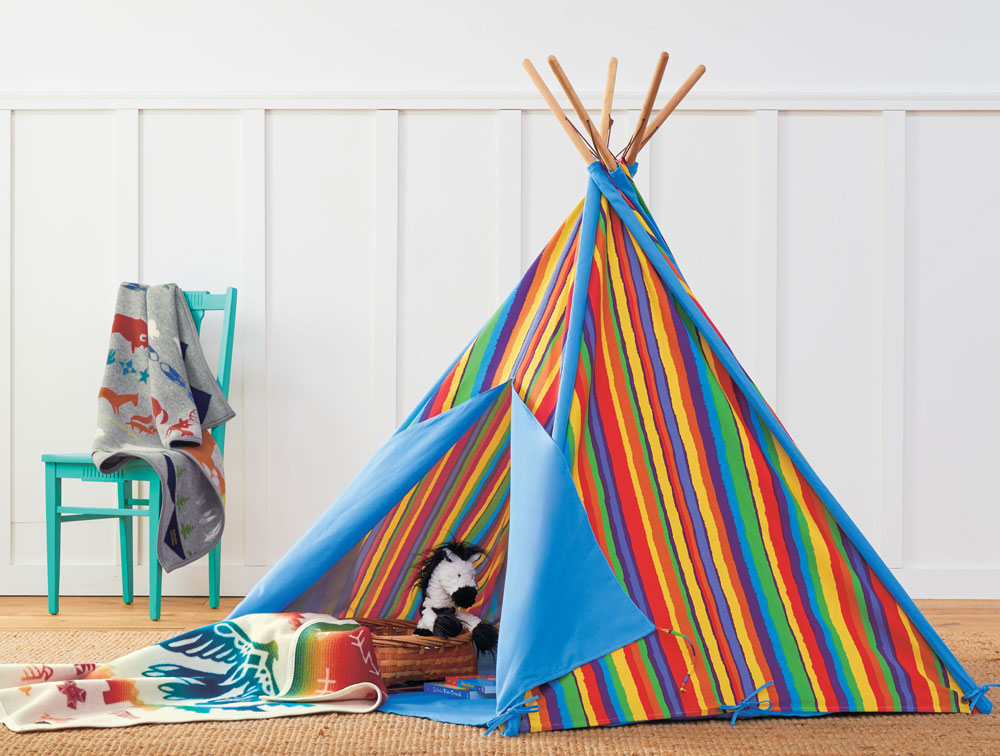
62	218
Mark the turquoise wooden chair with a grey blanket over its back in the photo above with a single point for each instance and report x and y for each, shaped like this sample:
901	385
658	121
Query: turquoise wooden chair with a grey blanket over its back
81	467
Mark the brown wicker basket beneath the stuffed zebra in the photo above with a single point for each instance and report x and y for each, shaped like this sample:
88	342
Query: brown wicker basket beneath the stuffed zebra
405	657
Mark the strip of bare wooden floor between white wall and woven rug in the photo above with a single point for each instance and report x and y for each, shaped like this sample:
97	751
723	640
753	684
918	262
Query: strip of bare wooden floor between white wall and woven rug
184	613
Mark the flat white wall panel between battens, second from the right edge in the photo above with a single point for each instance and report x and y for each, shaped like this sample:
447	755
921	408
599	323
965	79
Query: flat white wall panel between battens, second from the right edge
829	300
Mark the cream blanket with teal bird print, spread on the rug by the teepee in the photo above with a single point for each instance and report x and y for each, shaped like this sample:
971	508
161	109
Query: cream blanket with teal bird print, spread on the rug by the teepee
255	667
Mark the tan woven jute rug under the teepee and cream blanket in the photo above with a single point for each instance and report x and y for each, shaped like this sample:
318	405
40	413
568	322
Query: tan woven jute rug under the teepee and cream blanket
388	735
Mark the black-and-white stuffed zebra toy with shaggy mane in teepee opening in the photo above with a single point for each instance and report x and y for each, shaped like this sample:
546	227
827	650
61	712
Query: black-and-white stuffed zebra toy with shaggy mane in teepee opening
446	580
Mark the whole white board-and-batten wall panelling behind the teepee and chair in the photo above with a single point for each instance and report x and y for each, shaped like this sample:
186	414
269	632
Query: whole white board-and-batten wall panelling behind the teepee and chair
846	248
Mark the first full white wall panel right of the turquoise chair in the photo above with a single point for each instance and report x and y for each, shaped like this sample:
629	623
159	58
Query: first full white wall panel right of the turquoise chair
320	314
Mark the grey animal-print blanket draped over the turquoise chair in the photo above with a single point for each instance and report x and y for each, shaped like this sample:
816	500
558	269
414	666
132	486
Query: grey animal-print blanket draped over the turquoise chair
157	403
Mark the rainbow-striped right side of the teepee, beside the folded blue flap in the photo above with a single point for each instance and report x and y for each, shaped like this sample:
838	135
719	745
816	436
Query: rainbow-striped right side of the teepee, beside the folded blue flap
714	534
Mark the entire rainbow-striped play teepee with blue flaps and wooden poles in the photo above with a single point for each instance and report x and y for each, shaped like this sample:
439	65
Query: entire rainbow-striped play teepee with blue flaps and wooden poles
660	547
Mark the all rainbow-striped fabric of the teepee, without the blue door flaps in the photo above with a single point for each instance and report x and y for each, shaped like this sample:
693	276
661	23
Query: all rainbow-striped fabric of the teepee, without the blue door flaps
765	596
